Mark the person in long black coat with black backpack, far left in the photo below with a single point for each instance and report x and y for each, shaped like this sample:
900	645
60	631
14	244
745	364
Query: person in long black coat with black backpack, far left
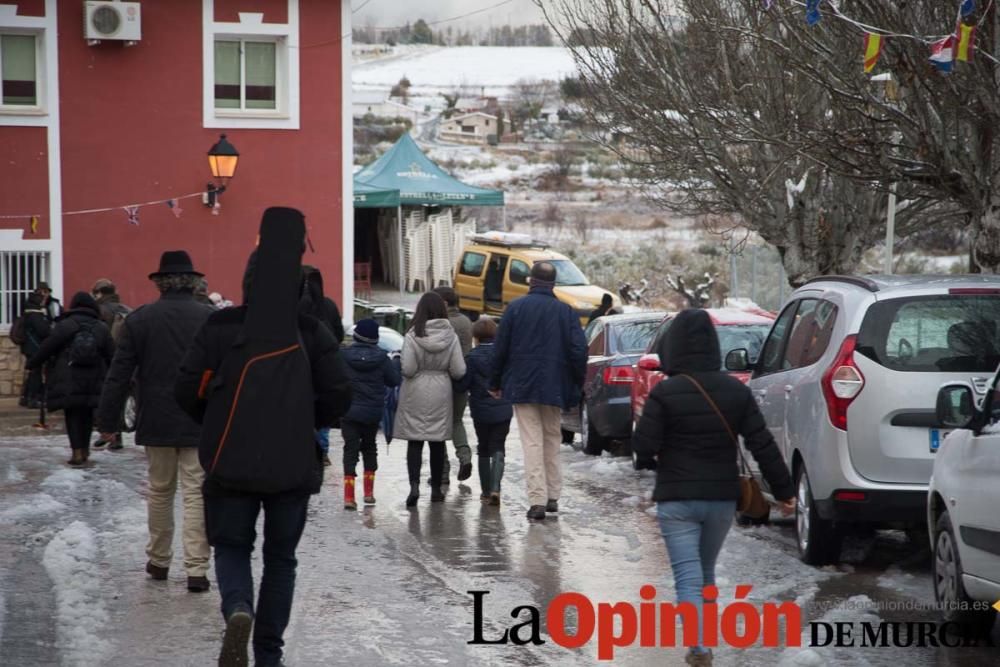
78	353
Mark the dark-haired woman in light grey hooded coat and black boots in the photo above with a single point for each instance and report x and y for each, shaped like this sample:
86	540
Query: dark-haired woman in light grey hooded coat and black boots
431	359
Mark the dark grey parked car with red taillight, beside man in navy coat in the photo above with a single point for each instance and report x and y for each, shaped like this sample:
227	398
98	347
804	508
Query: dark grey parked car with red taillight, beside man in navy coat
615	343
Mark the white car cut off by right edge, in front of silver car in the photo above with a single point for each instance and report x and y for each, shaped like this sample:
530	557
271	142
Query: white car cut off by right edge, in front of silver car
962	505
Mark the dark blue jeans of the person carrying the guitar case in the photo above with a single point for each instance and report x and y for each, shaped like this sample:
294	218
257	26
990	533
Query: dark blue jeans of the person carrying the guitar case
230	524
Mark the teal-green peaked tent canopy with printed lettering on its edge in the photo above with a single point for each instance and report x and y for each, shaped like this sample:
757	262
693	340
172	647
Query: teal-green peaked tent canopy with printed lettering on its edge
405	168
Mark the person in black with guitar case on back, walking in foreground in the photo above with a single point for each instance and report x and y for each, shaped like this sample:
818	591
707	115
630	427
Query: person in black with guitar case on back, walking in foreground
261	378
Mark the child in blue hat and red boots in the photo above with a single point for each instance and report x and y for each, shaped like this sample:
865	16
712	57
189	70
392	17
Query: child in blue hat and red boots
370	371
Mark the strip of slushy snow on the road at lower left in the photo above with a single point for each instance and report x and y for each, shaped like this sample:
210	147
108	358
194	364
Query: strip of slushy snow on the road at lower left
69	560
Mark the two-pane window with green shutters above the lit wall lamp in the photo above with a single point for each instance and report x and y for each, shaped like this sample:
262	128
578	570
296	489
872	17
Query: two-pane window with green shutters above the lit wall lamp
250	75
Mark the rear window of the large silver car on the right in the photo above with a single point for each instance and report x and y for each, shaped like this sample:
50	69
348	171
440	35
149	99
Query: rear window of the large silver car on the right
947	333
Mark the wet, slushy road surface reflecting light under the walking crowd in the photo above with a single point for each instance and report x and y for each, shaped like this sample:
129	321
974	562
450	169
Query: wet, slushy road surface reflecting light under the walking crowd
388	585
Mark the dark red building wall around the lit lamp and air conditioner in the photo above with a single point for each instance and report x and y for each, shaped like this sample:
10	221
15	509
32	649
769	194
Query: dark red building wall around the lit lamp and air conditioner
132	131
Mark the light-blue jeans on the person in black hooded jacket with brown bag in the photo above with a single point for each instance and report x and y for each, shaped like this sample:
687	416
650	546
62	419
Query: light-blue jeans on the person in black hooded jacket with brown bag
694	531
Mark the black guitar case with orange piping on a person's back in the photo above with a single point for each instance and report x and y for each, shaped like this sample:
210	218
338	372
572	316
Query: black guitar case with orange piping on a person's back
258	430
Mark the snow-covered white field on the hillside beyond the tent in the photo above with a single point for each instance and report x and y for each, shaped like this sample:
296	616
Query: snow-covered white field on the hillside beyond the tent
490	70
